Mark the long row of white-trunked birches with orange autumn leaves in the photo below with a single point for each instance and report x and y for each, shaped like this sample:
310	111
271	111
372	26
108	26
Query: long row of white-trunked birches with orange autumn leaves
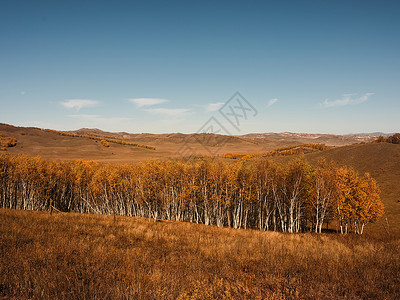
257	193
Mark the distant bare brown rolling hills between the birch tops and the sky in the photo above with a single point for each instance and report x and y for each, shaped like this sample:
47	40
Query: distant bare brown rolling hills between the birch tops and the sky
52	145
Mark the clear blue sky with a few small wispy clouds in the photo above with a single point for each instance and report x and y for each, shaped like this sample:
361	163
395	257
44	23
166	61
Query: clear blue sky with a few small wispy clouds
168	66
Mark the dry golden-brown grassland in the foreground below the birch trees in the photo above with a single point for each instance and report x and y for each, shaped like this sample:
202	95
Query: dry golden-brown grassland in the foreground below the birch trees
77	256
